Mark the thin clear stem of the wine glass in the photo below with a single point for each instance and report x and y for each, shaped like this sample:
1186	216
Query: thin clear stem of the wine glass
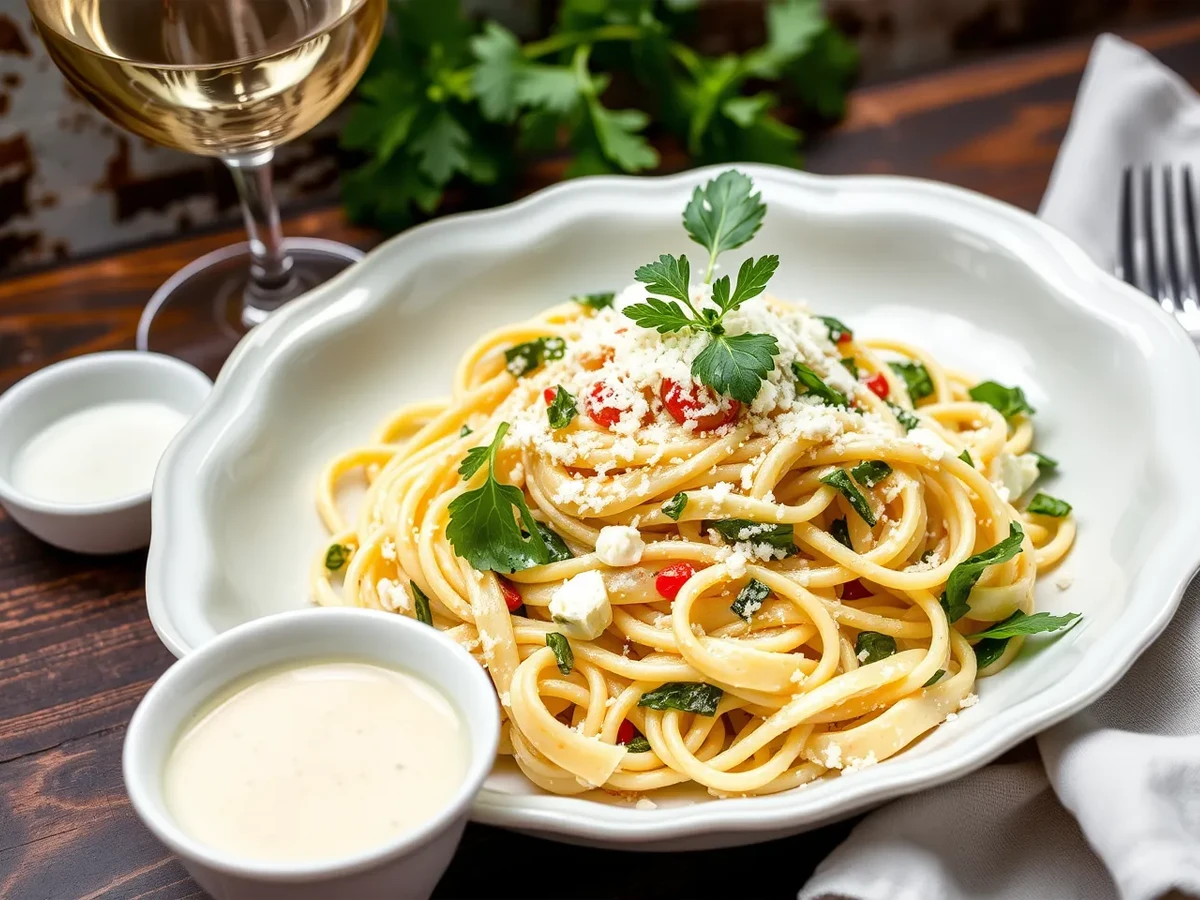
271	268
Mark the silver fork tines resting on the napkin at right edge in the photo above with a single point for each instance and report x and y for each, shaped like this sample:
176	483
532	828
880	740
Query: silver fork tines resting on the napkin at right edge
1160	243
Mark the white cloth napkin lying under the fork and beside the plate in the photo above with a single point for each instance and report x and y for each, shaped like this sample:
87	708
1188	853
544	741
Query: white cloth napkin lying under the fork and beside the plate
1114	808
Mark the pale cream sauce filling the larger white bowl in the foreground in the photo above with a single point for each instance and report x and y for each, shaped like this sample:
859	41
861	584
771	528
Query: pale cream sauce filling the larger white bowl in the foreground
316	763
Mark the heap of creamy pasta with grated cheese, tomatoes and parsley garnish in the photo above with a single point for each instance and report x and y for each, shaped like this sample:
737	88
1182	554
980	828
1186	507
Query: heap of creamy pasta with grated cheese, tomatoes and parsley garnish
700	535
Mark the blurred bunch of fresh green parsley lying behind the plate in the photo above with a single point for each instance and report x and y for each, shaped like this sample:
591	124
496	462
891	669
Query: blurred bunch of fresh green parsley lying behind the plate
447	103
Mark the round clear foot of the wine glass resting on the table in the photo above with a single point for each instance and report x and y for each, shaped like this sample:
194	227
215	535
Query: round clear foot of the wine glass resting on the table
203	310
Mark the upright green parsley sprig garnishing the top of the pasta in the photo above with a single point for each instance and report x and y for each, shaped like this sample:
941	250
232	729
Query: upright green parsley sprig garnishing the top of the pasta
722	215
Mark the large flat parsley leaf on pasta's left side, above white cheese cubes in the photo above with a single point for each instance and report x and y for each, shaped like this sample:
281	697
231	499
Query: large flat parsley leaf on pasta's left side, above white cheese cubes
483	527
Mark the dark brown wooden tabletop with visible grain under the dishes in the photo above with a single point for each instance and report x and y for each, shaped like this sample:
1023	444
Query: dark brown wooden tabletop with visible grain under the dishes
77	651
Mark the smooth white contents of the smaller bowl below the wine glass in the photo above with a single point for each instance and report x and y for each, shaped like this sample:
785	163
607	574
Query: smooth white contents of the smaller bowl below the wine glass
99	454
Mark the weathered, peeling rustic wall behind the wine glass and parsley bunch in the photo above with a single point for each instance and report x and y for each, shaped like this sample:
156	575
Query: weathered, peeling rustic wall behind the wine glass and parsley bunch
74	185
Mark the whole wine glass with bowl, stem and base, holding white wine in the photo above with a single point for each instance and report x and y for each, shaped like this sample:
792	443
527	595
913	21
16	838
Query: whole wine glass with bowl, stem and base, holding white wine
232	80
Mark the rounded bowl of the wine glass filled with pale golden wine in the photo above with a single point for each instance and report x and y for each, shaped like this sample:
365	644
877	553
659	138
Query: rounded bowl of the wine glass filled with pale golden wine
213	77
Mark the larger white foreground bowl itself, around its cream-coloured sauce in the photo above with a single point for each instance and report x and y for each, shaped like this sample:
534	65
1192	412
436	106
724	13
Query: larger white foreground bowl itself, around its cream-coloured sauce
406	867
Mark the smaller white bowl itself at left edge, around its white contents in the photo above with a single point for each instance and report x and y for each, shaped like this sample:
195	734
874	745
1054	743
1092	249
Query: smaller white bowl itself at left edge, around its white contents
69	387
